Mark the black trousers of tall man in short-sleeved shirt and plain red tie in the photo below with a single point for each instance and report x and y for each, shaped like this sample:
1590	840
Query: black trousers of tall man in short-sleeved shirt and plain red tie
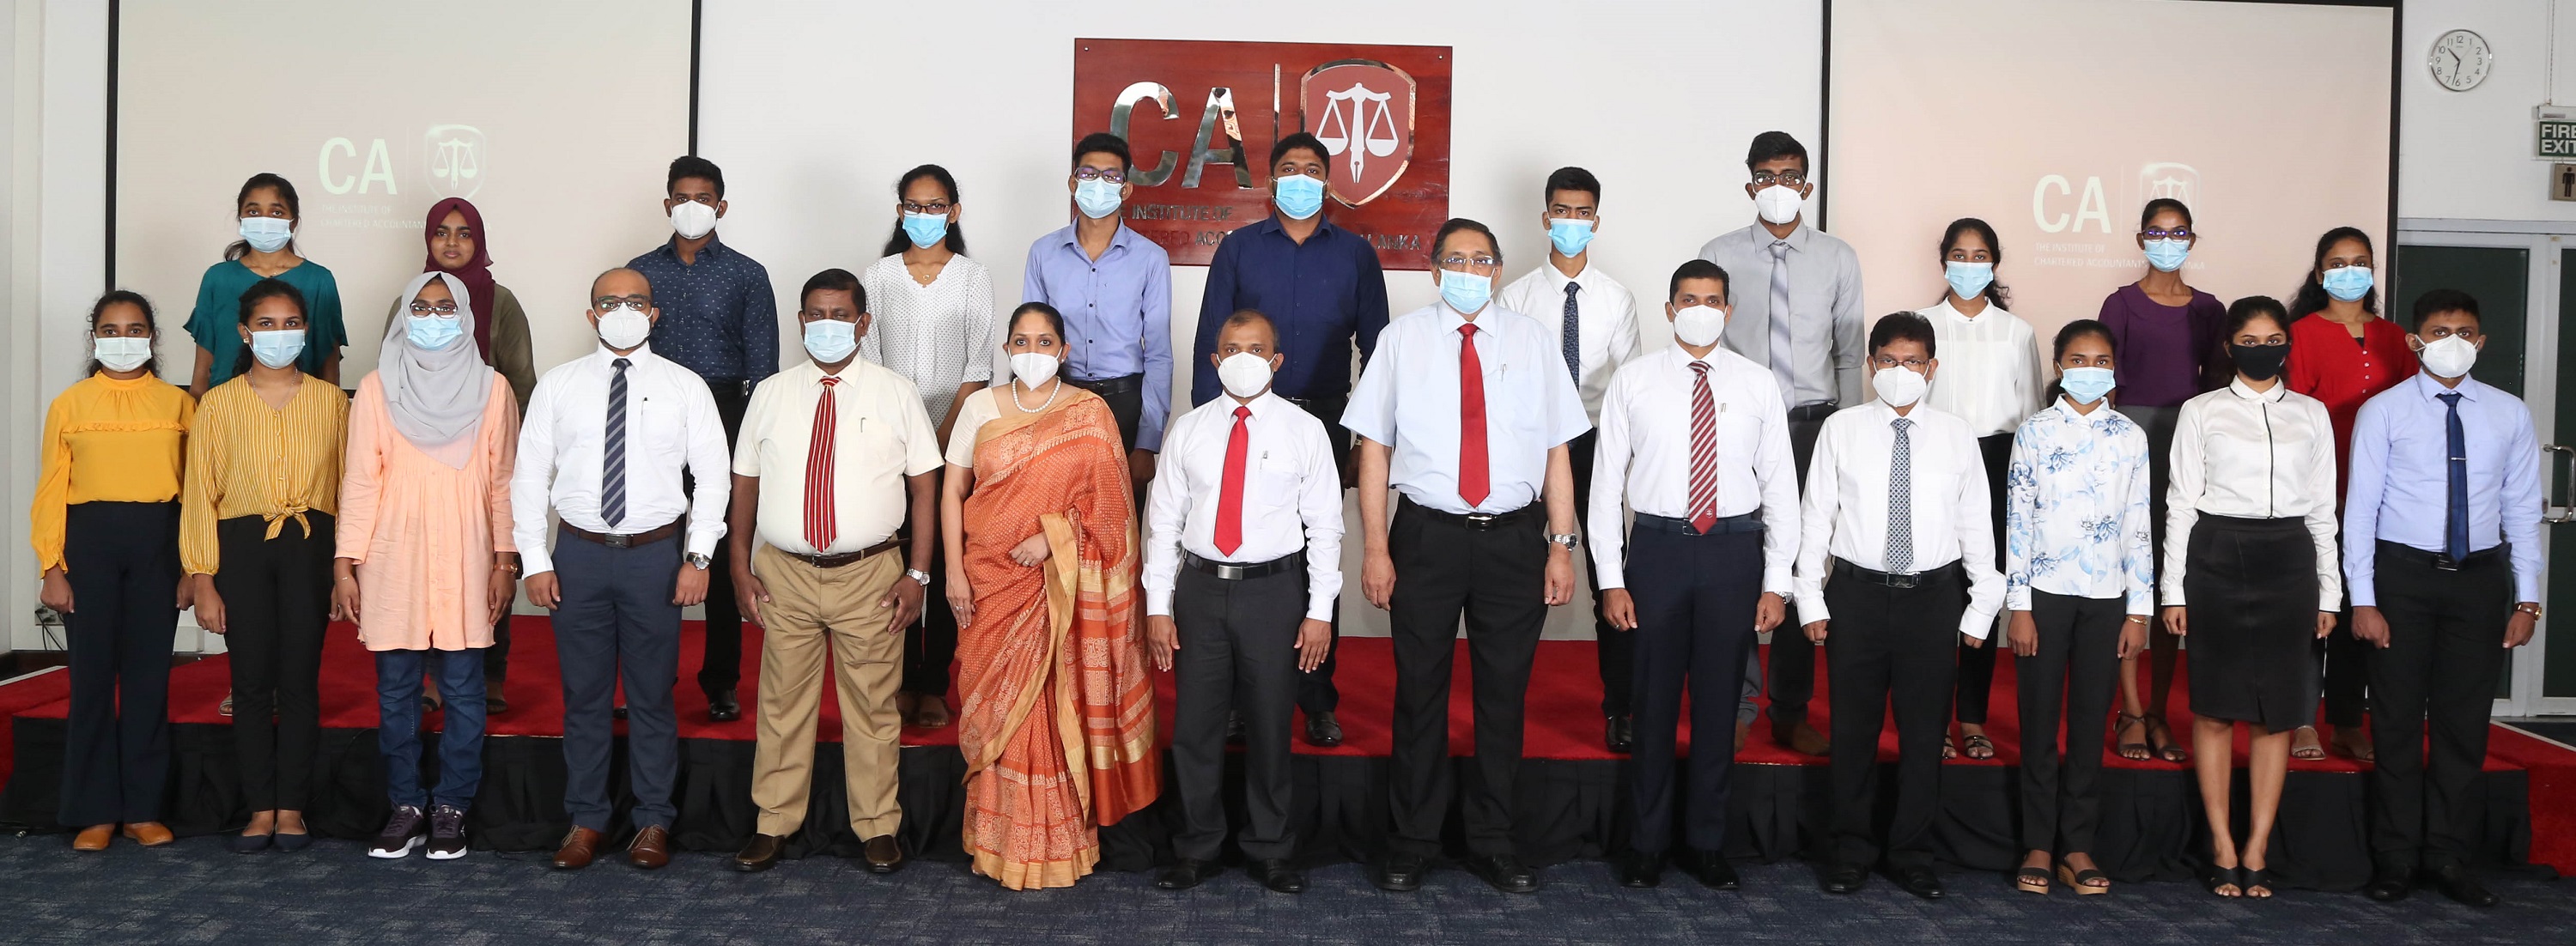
1493	579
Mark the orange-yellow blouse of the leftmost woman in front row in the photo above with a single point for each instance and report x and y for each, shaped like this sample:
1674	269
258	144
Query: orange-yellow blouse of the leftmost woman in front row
107	442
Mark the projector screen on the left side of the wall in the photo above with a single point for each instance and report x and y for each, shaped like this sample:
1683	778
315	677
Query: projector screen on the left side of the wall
558	120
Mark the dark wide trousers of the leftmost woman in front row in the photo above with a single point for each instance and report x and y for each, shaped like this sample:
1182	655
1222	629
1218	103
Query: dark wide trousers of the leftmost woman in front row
122	563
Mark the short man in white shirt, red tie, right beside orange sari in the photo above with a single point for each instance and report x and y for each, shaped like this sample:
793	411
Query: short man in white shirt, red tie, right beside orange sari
1240	576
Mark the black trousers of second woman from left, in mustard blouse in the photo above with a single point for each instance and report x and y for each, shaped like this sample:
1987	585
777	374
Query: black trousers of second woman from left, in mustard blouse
277	604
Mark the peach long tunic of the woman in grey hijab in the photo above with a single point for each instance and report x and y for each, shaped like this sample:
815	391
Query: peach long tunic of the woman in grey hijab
424	532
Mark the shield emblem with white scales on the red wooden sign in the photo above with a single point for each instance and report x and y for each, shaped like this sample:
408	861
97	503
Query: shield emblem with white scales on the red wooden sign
1364	112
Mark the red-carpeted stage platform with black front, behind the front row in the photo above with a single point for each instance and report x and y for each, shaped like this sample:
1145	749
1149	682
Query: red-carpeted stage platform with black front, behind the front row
1573	800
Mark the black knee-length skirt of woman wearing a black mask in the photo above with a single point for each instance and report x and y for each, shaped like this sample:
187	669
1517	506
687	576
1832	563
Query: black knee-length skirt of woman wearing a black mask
2253	620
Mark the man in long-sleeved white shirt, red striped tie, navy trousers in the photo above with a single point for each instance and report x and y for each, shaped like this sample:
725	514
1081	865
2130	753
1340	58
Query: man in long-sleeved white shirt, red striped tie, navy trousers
1696	442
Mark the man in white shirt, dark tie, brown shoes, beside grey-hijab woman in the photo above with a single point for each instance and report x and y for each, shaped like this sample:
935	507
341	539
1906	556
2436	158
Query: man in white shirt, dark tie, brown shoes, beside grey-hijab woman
604	447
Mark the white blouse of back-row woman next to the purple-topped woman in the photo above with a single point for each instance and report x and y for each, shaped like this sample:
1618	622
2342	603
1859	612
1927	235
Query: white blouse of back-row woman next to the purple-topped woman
1993	372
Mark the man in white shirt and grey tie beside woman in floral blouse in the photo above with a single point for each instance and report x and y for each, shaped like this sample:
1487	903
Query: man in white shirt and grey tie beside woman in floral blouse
1897	517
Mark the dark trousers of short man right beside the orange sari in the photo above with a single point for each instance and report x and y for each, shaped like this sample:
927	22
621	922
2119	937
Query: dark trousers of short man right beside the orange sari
1238	656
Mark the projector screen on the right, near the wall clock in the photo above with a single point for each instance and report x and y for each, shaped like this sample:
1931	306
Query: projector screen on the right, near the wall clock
2057	122
